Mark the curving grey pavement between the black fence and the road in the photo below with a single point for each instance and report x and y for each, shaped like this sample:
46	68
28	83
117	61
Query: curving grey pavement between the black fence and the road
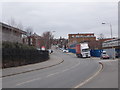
54	60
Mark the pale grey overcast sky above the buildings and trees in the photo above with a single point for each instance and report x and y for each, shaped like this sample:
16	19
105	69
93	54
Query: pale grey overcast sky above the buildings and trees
64	17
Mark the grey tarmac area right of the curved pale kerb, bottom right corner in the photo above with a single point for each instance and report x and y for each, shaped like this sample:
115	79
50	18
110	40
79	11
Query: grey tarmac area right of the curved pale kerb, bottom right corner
108	78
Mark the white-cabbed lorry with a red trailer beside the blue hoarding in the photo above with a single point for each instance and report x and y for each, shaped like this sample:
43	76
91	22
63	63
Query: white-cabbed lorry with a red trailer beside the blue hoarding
82	50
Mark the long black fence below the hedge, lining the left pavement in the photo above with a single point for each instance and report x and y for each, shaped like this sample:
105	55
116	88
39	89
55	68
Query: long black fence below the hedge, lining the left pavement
18	57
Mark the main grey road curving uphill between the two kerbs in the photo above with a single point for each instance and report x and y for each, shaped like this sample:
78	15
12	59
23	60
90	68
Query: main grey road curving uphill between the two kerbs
68	74
